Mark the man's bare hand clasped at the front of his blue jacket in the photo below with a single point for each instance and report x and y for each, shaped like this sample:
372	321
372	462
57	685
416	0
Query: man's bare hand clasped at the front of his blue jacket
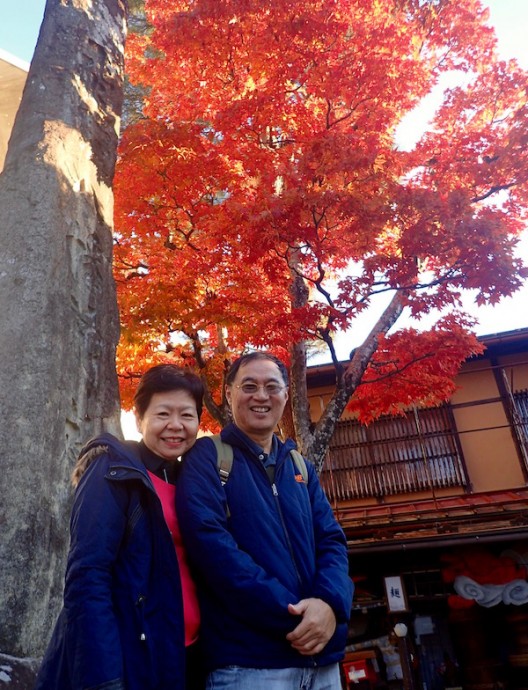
316	628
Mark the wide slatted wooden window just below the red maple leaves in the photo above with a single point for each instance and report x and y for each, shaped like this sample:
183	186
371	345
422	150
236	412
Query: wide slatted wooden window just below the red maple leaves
415	452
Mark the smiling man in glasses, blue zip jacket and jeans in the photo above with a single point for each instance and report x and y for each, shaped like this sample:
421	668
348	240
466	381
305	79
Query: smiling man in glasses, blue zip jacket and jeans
269	558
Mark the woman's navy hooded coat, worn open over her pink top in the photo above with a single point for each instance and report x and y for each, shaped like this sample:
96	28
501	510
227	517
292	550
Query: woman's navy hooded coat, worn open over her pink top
122	622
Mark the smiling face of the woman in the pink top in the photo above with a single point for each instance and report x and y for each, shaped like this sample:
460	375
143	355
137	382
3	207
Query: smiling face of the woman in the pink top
170	424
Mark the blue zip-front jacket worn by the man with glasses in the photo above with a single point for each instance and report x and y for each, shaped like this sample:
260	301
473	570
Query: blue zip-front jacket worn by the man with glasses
256	547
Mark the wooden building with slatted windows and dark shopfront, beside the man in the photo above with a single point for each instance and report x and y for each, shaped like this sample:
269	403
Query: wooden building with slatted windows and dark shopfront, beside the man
435	509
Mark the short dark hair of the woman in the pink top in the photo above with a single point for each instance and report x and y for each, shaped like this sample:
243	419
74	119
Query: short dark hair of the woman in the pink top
167	377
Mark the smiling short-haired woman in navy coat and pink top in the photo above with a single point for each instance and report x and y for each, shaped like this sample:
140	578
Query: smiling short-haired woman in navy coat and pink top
130	617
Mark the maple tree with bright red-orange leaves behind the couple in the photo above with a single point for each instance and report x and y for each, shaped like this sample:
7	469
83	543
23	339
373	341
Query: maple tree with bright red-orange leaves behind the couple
264	199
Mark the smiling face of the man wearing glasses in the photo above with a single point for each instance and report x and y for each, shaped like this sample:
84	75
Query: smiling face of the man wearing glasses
257	412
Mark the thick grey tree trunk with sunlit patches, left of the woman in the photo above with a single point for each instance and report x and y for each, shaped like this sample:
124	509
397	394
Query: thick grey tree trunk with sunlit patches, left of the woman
58	384
